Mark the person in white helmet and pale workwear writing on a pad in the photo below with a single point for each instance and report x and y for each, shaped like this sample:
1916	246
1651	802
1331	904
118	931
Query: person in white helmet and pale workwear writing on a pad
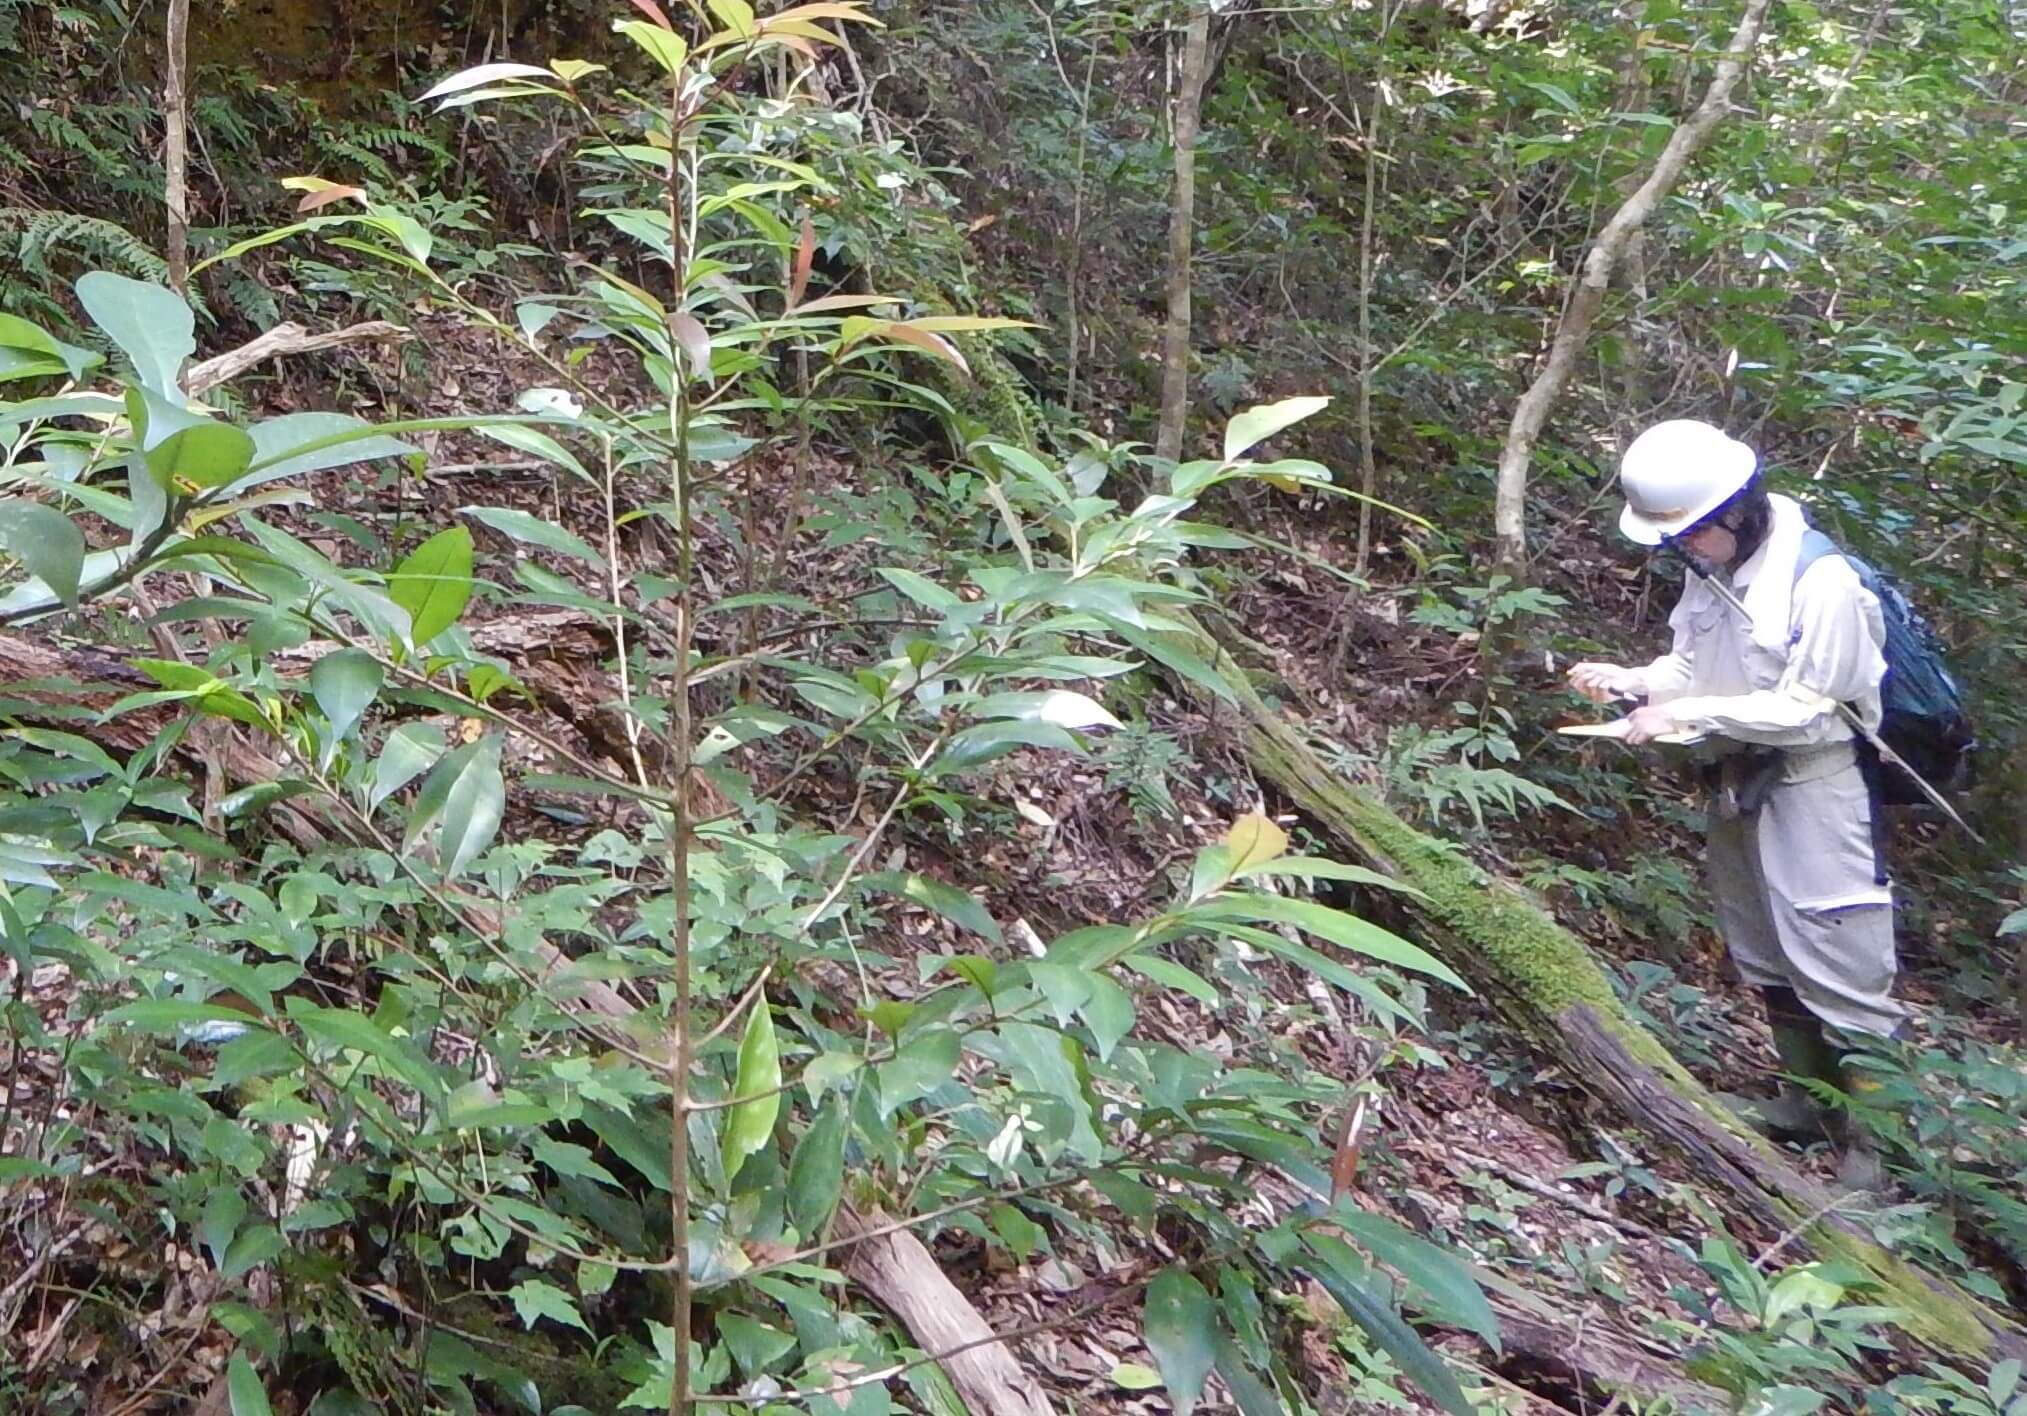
1801	890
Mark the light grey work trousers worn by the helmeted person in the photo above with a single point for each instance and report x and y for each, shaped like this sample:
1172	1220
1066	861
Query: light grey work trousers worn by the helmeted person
1801	898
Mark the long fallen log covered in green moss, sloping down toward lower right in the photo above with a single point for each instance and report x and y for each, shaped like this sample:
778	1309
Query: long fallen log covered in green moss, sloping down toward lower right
1550	984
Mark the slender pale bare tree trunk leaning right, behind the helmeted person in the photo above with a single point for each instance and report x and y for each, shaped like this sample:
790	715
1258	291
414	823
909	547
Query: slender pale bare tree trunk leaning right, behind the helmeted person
1572	333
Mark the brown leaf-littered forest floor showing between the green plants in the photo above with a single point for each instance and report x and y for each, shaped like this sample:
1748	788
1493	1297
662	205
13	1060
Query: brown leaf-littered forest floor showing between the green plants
1580	1231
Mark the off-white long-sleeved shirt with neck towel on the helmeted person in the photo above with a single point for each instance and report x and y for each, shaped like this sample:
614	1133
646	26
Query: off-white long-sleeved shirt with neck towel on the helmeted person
1748	680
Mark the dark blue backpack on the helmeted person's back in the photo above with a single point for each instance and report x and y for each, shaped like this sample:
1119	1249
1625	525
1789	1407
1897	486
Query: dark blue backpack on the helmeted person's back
1925	716
